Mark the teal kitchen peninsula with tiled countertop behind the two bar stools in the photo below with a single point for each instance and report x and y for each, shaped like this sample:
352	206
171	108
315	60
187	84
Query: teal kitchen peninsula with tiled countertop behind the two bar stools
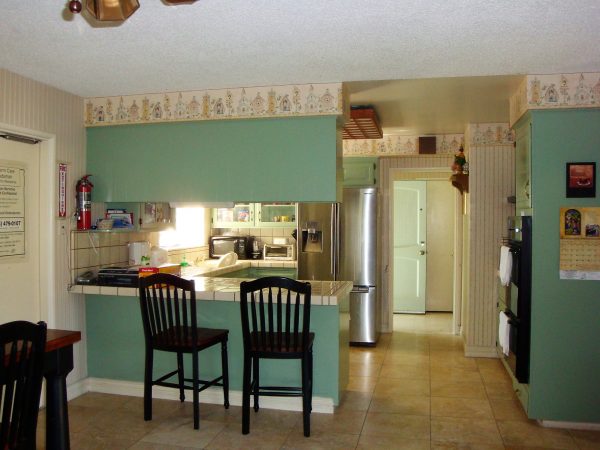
115	342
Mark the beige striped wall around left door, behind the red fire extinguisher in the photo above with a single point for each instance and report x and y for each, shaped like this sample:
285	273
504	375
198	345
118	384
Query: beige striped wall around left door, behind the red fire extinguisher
25	103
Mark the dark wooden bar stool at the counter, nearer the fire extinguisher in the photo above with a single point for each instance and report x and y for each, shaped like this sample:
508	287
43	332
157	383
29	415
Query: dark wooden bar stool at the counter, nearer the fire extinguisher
168	306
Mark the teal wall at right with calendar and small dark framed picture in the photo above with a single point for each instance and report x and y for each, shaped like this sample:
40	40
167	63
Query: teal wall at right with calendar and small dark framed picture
565	359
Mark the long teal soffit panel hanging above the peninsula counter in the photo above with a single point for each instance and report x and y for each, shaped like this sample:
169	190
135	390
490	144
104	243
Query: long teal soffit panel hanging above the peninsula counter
288	159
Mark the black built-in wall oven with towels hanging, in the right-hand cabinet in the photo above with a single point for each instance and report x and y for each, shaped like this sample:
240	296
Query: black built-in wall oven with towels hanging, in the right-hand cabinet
518	308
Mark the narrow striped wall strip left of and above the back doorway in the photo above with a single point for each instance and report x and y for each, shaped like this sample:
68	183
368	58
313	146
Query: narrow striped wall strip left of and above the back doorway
386	166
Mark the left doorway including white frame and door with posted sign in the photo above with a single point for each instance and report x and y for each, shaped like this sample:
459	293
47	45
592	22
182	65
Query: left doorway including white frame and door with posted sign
27	232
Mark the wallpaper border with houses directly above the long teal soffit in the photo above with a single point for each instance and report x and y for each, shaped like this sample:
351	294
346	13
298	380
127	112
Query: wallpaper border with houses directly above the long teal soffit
216	104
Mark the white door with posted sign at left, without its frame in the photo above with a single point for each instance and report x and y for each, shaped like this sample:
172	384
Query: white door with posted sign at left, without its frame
19	273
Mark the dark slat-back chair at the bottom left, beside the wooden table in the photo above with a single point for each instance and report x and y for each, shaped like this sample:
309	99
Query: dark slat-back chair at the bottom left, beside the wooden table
22	346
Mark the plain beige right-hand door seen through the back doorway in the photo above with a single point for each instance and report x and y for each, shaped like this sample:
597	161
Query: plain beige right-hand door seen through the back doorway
440	245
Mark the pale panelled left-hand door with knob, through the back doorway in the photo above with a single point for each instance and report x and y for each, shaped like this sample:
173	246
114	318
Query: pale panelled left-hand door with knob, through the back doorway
409	246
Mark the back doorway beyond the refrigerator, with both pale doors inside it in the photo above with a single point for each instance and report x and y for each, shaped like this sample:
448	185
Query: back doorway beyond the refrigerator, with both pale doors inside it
425	240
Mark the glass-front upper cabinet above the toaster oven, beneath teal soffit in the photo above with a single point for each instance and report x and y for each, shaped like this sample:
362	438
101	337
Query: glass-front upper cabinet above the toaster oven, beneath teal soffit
255	215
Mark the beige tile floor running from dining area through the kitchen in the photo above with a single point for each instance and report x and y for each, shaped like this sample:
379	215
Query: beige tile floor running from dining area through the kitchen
415	390
